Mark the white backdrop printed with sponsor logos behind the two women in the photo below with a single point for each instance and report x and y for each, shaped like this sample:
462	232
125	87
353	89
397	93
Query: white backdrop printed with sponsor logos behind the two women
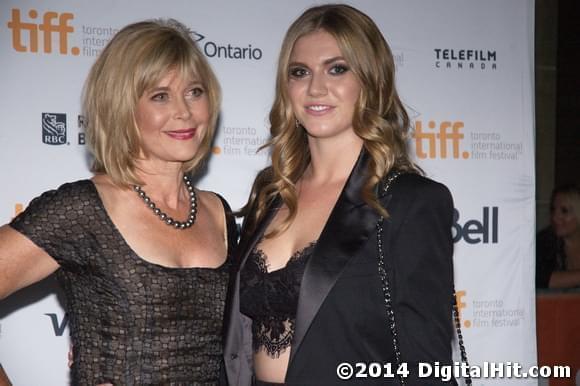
465	72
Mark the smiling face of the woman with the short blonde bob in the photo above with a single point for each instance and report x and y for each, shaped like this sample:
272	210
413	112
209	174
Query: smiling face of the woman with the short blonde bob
172	118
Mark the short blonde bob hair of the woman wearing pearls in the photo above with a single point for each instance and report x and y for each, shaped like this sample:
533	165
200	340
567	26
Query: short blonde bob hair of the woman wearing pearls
133	61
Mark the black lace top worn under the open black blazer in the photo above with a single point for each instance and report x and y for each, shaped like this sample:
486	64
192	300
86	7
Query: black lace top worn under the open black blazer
270	299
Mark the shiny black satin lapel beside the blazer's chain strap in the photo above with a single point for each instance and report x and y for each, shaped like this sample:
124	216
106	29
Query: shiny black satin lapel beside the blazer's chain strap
348	227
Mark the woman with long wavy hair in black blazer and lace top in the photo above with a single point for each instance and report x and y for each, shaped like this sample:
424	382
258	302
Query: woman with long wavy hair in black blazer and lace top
346	249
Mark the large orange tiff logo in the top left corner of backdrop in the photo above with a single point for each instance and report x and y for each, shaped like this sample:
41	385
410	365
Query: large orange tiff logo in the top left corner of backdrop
51	22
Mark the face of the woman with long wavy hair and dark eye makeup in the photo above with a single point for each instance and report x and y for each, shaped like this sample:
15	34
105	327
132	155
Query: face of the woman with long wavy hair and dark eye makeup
323	90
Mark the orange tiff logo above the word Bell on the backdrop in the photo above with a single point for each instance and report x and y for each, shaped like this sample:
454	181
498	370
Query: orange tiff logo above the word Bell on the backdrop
433	143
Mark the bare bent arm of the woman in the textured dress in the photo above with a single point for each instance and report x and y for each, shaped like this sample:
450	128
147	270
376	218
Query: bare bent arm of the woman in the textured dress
22	263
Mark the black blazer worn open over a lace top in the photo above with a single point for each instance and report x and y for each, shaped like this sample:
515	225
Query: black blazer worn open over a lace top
341	313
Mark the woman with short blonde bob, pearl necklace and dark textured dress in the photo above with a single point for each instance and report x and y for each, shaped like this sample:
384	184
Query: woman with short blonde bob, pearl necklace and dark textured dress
142	255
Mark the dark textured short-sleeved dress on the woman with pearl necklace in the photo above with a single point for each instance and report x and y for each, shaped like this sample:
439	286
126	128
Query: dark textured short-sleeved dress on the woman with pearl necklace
131	322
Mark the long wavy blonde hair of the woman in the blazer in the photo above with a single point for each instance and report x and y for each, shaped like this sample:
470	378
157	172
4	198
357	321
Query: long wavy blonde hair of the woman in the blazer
379	118
